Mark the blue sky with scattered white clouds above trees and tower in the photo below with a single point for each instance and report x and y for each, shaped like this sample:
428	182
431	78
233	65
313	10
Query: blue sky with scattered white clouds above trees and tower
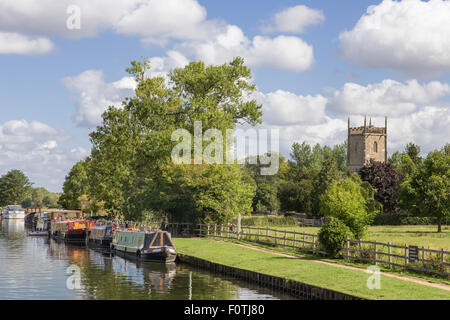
392	59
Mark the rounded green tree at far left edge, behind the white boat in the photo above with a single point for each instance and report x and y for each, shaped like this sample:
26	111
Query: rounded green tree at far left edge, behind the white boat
14	187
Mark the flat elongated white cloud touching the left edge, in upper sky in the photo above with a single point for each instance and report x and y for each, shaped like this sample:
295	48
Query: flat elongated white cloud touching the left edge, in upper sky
15	43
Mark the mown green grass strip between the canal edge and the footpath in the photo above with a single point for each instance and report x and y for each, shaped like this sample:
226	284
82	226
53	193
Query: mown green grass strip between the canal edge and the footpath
339	279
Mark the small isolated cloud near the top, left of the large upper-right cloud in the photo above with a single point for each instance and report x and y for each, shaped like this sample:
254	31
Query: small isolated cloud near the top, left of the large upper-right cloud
294	20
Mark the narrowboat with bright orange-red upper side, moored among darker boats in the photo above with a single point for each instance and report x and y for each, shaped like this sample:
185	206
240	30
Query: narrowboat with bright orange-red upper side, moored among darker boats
70	230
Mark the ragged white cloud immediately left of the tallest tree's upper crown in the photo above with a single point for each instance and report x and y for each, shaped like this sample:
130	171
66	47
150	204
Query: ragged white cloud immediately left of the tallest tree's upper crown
95	95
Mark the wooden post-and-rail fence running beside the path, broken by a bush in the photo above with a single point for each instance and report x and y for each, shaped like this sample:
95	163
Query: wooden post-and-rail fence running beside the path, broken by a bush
379	253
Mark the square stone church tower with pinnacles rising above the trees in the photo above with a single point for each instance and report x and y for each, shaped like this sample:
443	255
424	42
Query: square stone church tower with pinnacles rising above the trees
365	143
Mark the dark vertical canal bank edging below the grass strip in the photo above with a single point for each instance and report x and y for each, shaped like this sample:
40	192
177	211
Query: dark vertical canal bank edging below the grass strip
292	287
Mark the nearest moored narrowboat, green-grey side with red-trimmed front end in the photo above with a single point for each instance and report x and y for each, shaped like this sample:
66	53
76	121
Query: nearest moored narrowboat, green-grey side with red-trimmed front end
154	246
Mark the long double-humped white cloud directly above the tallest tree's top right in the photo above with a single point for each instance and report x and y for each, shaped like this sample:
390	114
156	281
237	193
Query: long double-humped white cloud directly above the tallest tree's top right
283	52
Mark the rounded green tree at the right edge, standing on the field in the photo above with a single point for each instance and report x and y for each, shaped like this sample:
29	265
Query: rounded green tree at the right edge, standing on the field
427	192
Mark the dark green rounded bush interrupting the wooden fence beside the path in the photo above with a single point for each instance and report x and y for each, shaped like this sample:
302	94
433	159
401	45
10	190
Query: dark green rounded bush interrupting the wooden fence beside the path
332	236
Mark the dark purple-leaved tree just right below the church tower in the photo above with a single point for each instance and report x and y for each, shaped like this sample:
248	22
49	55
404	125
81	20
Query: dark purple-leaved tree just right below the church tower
384	179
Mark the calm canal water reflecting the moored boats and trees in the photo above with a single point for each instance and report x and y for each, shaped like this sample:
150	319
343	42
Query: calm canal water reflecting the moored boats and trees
41	268
